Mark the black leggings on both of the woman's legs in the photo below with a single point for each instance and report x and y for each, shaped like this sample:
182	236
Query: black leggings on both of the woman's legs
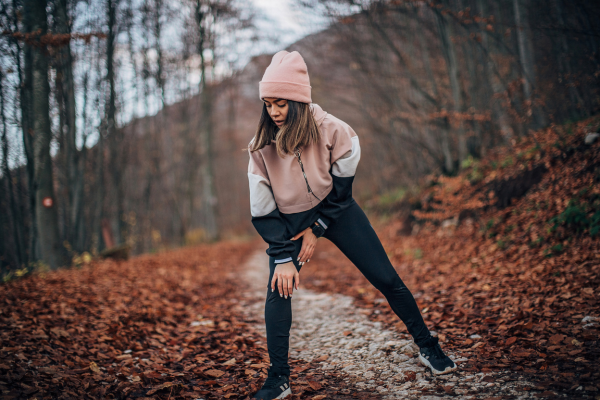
353	234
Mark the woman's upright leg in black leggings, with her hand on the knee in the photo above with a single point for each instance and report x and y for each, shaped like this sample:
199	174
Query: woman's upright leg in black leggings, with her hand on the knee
278	319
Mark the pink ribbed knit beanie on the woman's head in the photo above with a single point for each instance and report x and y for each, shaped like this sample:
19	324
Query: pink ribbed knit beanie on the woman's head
286	78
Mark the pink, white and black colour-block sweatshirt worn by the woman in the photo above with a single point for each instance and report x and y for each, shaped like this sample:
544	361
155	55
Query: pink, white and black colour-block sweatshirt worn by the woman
280	202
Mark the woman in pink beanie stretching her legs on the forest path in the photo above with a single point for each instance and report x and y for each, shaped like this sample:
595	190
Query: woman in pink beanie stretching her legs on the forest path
302	164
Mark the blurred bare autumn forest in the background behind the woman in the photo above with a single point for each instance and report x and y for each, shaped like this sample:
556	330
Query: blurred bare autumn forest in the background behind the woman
130	116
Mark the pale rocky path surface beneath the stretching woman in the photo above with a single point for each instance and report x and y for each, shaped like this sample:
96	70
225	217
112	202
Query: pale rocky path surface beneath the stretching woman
329	327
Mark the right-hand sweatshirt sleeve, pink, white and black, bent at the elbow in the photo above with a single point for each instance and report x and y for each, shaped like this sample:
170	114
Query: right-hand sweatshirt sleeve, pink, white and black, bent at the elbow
345	155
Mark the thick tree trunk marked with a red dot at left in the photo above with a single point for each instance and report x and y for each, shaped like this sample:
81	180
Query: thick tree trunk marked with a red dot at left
52	251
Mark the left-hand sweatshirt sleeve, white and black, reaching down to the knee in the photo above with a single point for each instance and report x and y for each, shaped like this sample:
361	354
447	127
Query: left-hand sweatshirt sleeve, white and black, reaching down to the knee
265	215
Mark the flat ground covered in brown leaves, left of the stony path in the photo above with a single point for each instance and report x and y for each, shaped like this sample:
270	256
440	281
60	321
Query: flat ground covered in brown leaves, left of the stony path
158	326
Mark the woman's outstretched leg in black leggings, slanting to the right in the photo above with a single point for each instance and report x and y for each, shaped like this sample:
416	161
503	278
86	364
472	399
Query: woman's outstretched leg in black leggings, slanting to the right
353	234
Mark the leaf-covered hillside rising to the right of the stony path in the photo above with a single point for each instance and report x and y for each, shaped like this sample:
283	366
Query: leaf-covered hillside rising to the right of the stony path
503	259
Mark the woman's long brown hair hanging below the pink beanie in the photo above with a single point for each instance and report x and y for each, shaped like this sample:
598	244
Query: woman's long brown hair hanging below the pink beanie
300	129
